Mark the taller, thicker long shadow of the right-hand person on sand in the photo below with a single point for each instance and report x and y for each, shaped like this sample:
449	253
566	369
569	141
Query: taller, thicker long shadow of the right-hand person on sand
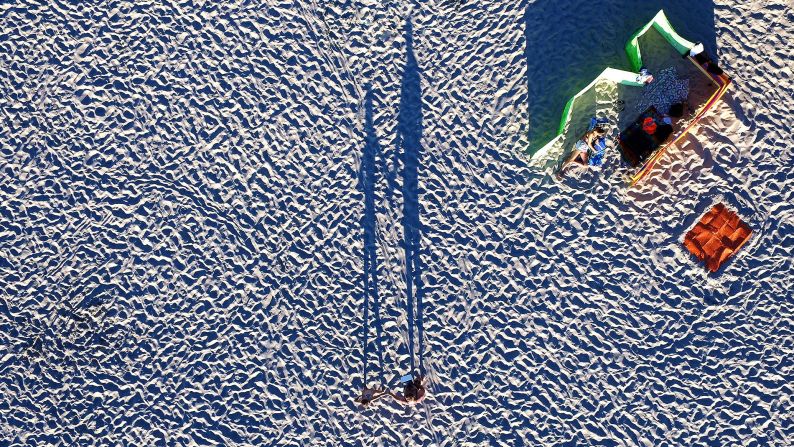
409	136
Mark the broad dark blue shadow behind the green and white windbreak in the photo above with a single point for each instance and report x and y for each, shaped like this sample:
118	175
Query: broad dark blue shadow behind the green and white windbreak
587	39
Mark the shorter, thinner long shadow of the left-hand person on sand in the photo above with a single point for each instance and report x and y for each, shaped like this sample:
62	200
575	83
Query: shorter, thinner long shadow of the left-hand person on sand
368	179
